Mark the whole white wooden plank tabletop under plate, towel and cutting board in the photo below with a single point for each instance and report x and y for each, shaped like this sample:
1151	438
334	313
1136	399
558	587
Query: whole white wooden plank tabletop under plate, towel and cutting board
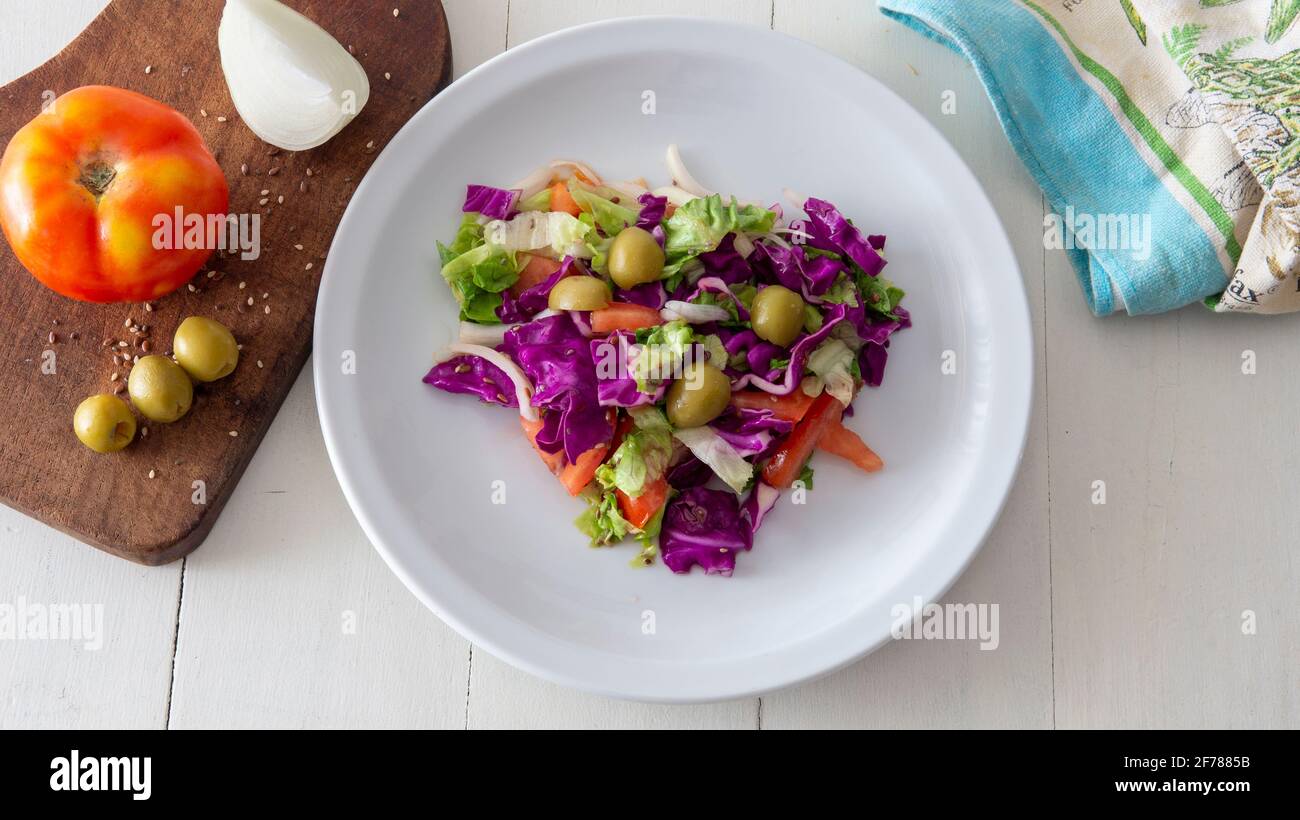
1126	614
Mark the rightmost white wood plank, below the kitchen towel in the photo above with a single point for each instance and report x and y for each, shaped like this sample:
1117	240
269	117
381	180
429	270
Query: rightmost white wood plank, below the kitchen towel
1150	589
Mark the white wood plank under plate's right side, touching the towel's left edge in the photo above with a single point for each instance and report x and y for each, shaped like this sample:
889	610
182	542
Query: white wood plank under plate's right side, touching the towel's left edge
935	684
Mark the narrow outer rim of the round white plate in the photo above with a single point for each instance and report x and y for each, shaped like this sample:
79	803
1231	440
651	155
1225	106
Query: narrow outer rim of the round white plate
1017	322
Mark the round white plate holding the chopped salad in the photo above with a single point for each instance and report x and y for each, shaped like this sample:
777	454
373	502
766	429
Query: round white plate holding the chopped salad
755	112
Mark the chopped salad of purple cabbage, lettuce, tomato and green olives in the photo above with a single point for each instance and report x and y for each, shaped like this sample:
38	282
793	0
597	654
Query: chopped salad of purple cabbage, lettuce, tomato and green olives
675	357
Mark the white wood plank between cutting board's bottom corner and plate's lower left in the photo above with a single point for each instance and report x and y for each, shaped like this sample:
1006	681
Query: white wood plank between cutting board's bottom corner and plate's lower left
291	619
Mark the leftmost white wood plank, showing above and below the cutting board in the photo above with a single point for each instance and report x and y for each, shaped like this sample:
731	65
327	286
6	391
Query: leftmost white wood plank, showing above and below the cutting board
60	684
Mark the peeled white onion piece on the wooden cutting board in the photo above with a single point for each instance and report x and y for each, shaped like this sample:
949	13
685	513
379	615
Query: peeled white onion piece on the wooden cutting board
293	84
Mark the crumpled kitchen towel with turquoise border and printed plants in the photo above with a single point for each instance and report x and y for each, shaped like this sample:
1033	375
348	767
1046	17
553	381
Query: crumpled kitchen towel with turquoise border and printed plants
1165	135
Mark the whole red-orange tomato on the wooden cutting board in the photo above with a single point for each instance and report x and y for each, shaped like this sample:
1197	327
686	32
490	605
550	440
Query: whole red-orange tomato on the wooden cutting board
86	186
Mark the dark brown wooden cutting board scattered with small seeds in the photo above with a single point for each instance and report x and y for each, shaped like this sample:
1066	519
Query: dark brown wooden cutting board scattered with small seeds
168	51
